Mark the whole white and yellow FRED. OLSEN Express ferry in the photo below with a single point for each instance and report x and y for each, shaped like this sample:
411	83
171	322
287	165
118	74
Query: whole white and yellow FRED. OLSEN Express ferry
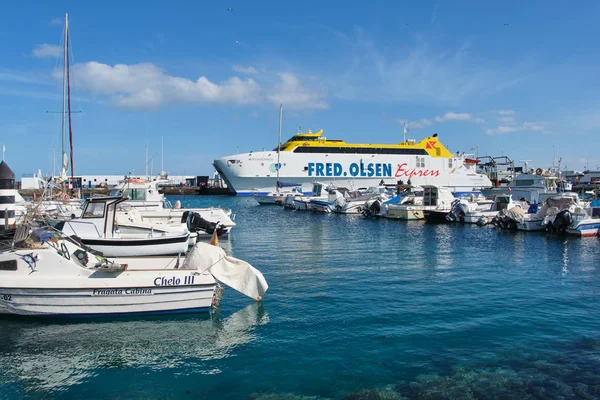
308	157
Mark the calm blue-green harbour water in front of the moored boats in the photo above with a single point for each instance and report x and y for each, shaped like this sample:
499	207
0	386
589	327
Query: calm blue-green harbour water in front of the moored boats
357	309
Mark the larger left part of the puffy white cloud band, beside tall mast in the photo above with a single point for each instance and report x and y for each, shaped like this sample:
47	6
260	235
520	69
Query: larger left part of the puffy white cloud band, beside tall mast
146	86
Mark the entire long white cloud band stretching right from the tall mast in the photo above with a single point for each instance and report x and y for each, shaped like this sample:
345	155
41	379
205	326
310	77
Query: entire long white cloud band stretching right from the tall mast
146	86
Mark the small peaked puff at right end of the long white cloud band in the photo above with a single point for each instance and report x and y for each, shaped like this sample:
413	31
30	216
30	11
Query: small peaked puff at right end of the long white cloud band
290	92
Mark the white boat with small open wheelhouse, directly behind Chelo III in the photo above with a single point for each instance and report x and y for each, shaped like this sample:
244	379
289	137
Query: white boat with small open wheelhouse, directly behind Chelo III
97	229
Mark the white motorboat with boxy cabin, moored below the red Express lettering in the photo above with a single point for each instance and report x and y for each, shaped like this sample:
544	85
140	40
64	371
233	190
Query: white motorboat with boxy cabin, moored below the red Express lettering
413	205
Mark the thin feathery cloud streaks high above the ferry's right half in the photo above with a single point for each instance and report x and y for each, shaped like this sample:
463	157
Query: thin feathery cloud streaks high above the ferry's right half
426	71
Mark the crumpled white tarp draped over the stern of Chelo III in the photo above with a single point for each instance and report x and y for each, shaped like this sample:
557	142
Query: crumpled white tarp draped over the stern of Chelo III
235	273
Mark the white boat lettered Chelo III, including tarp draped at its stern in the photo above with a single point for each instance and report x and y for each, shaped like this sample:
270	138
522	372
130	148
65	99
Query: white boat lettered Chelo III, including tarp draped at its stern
49	275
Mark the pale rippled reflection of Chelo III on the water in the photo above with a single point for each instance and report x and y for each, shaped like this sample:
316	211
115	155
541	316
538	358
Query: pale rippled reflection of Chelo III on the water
55	356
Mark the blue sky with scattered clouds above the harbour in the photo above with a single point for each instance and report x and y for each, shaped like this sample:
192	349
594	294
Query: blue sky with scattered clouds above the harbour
513	78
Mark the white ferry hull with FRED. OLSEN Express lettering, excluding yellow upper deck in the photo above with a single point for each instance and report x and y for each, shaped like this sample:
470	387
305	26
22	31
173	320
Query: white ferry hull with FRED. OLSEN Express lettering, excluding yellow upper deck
250	173
